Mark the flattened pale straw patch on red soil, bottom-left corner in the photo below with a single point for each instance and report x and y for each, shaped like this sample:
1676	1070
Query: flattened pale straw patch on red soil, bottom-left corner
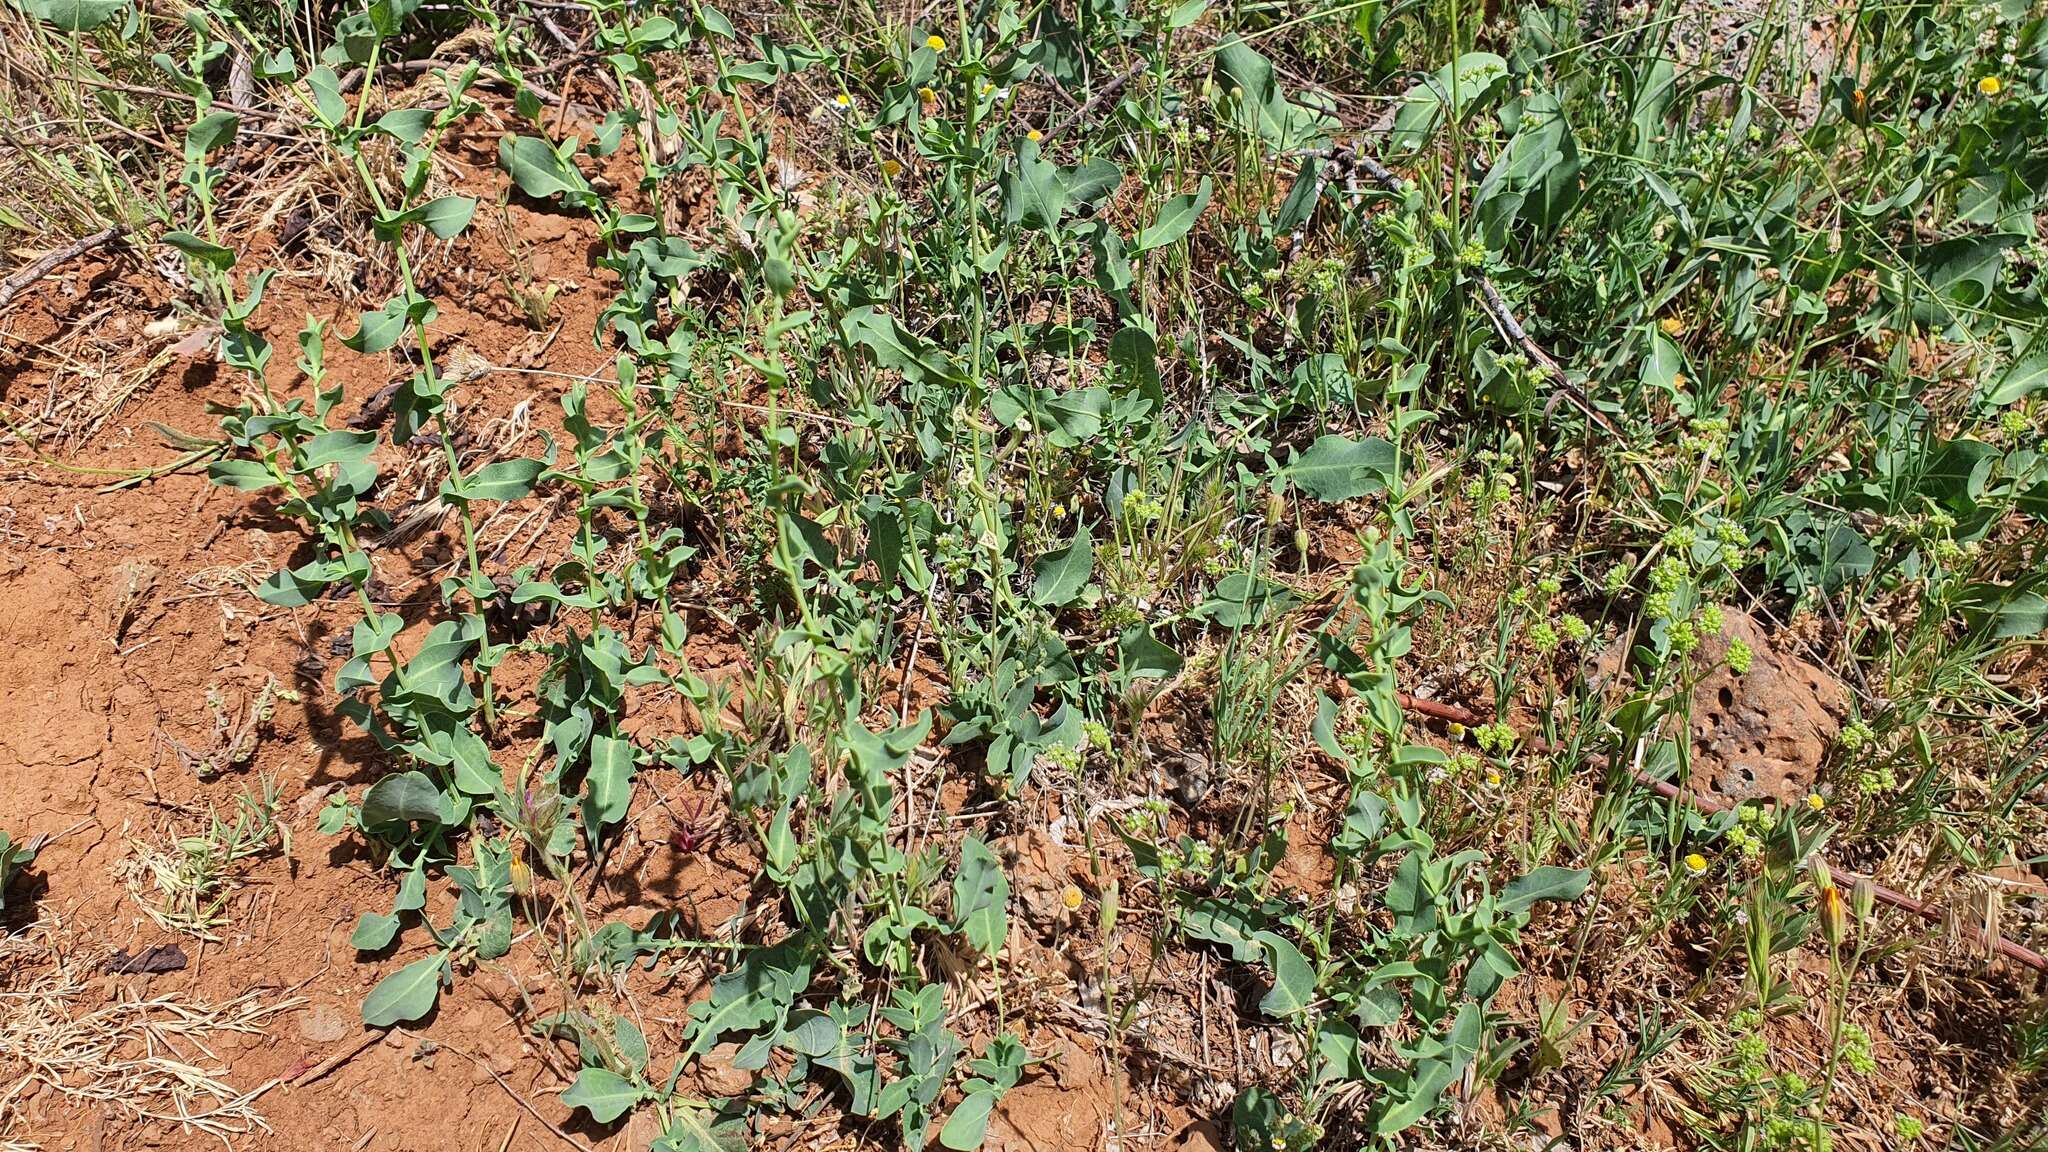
144	1061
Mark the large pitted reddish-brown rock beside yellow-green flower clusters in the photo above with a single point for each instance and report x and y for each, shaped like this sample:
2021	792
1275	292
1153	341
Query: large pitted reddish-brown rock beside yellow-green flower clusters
1762	735
